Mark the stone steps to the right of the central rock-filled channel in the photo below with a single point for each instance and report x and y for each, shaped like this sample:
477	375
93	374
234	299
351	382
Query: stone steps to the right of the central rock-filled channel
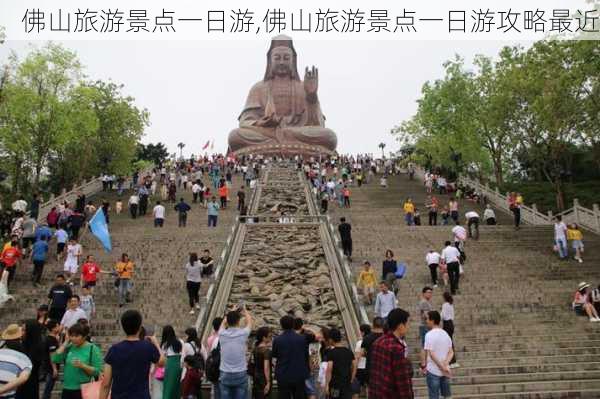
516	336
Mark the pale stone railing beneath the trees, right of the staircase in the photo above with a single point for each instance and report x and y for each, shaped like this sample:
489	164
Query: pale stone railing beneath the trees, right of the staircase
587	218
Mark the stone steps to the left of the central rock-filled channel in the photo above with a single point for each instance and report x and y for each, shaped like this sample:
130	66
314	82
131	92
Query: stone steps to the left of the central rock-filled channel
159	280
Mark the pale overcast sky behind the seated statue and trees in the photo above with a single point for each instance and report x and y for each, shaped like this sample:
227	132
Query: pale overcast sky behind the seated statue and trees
195	90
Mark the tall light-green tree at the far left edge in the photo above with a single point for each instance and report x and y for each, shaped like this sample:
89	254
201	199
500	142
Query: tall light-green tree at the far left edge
37	109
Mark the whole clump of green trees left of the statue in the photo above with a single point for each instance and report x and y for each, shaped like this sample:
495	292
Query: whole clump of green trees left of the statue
56	129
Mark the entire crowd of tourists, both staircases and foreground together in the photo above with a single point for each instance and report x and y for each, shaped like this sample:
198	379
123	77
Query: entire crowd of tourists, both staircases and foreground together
302	362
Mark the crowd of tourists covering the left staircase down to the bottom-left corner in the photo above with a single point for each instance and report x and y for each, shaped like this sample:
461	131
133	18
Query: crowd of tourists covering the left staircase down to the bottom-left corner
68	312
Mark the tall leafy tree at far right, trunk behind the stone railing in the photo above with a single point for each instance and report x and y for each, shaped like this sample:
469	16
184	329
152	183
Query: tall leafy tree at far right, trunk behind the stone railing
550	101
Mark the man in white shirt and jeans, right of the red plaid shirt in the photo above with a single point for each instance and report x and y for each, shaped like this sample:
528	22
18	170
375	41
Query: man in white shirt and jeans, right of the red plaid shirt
436	356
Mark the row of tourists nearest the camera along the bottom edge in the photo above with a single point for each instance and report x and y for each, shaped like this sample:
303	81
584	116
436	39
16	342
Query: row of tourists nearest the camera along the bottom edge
302	362
